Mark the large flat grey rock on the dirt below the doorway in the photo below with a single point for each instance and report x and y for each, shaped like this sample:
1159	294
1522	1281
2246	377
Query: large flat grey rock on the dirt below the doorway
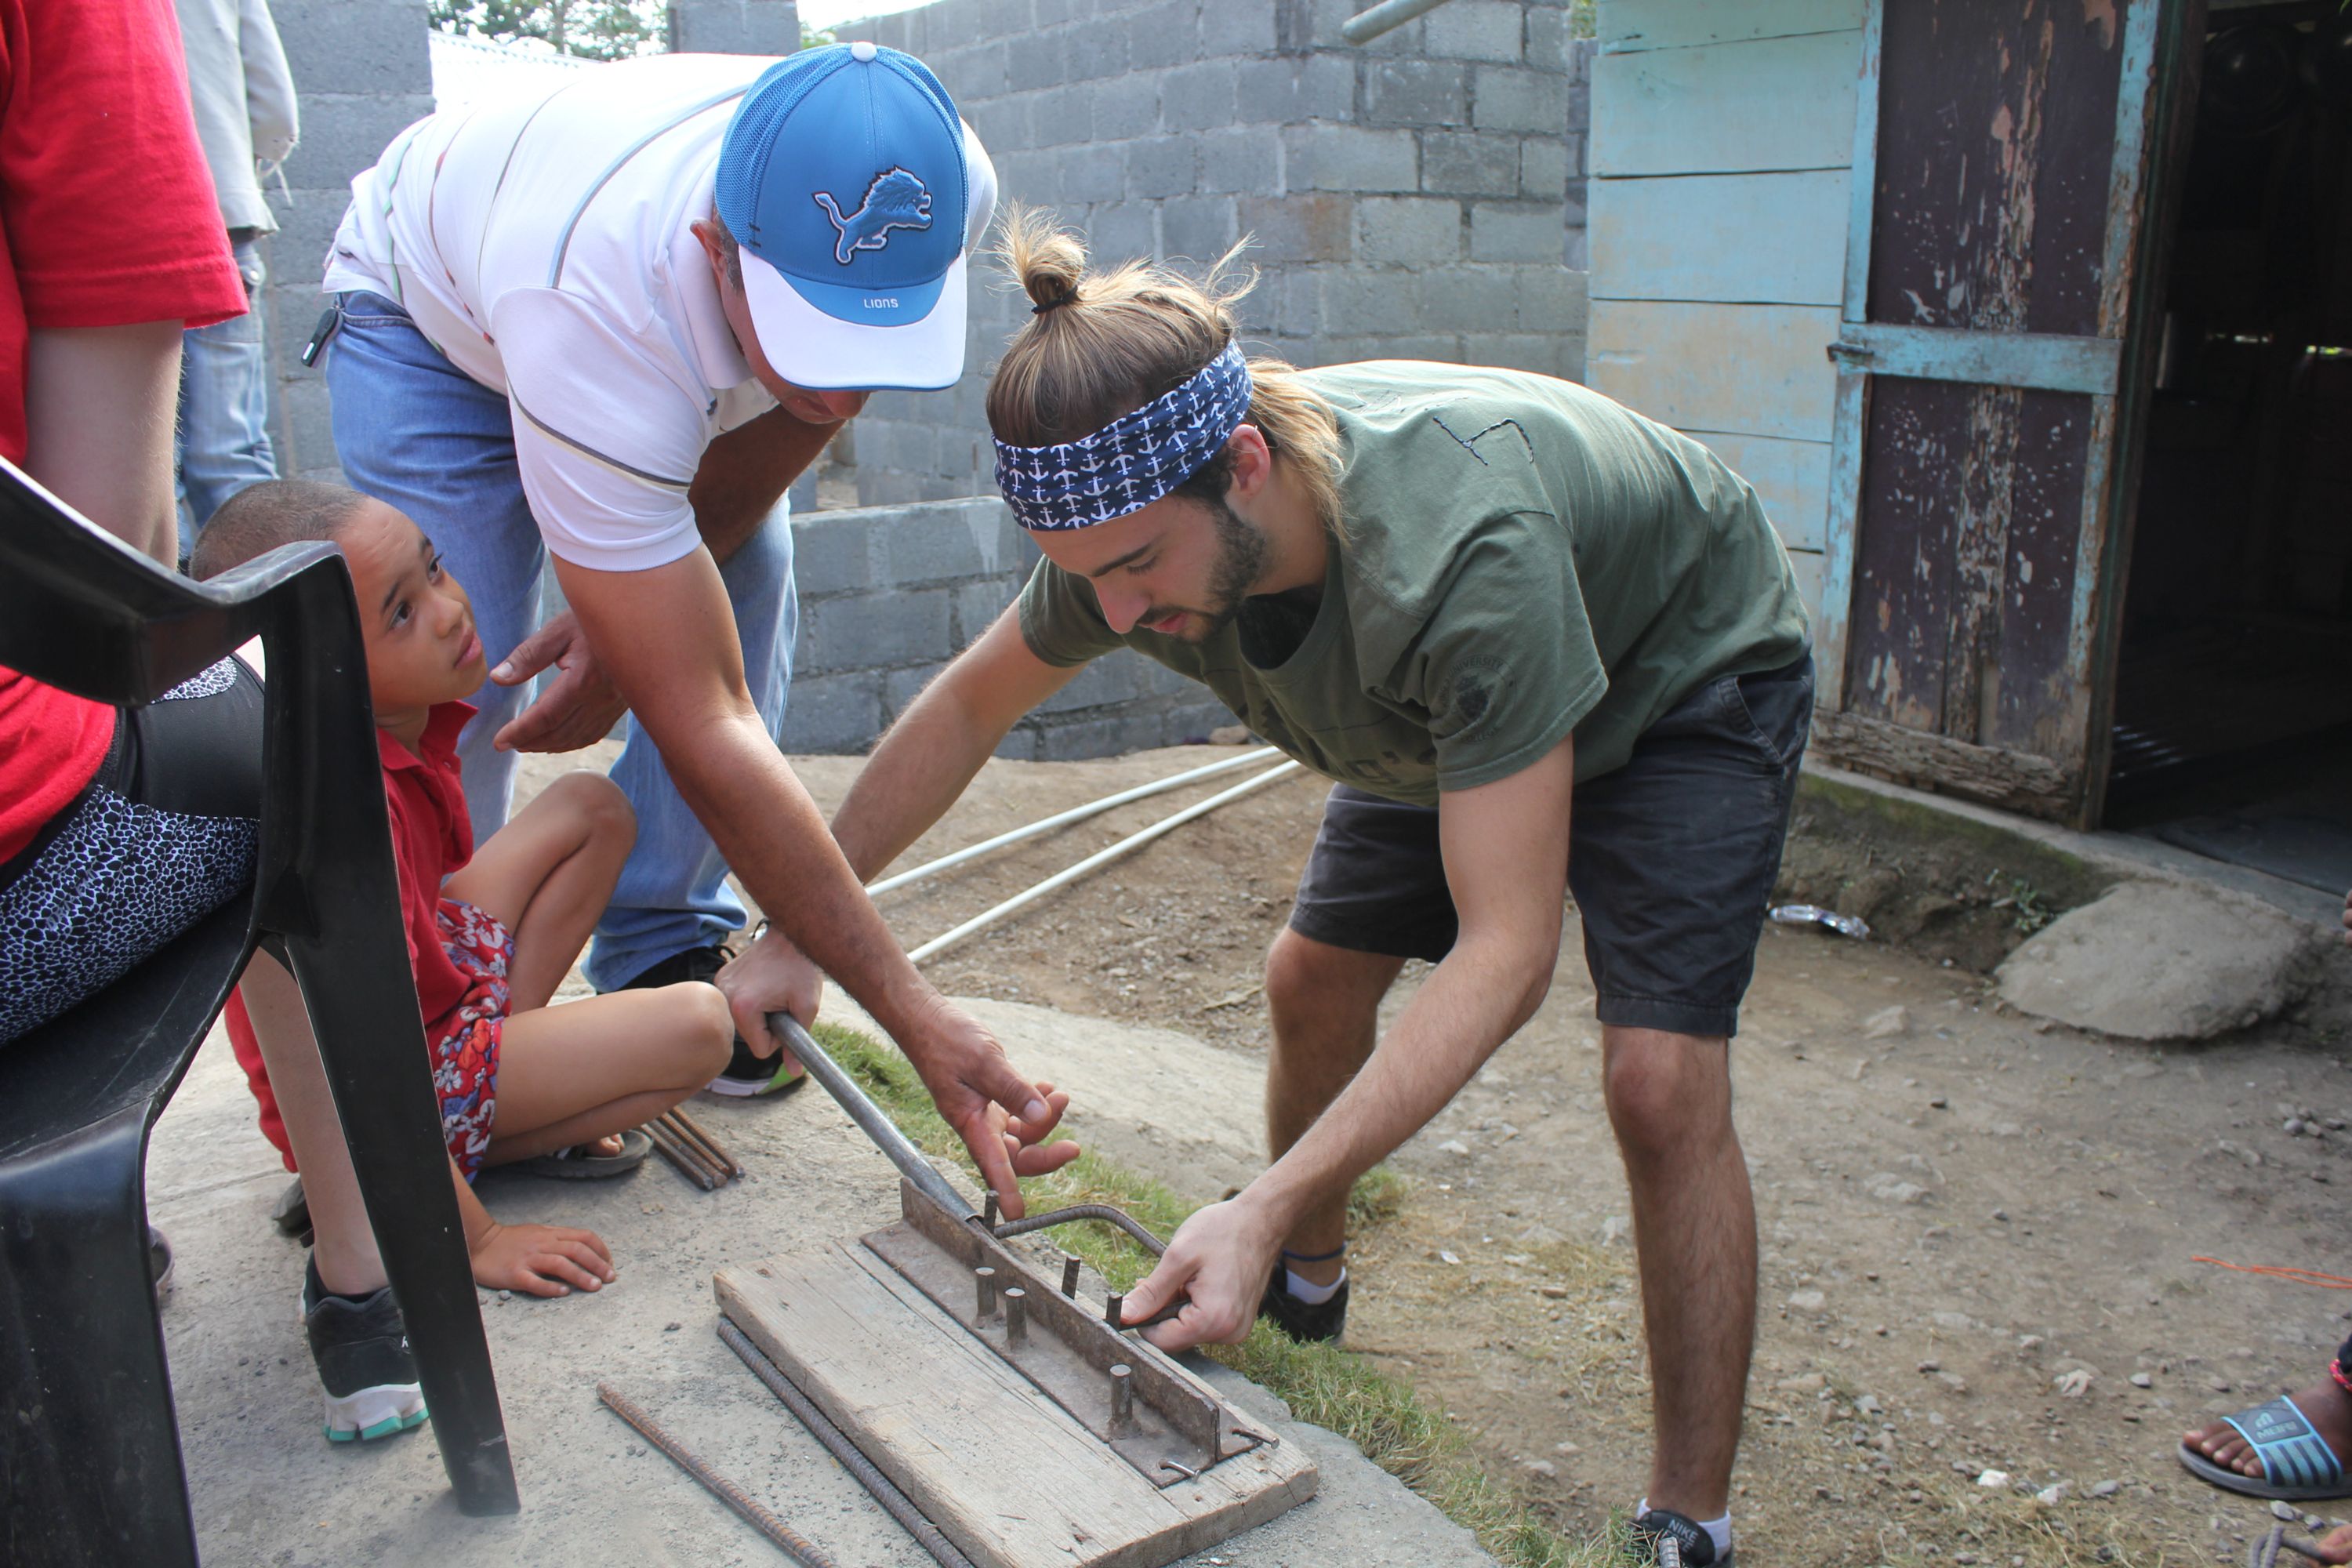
2160	960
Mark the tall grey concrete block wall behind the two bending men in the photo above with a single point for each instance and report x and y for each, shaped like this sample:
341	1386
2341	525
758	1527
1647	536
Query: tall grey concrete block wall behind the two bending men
1415	199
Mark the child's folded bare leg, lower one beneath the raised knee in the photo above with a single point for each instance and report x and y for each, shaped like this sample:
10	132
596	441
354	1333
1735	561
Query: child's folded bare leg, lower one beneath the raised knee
592	1068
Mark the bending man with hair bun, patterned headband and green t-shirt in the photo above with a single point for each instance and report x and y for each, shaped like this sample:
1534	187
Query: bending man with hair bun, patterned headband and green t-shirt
1539	645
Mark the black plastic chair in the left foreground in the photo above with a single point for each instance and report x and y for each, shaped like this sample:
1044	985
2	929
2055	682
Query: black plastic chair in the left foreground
91	1468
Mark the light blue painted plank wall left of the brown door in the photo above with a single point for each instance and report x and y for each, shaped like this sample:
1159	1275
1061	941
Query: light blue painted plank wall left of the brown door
1723	145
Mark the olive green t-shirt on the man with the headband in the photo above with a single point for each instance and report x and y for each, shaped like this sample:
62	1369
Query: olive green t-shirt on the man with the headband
1523	561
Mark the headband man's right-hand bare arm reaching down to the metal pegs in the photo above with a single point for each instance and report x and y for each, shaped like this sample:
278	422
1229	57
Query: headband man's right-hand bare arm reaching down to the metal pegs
1506	850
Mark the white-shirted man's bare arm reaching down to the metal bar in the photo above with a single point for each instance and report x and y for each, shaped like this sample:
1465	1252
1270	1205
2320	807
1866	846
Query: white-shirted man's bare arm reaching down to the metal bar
669	641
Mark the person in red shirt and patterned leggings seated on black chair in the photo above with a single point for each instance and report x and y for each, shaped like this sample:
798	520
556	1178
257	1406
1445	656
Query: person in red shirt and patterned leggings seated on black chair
121	829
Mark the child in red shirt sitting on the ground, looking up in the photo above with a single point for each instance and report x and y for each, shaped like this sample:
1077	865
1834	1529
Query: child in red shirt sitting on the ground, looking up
493	930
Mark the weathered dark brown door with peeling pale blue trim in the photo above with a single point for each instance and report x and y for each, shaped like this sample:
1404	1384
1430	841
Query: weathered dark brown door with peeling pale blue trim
1989	333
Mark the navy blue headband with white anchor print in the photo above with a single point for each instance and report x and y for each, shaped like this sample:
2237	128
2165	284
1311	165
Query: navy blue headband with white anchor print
1130	462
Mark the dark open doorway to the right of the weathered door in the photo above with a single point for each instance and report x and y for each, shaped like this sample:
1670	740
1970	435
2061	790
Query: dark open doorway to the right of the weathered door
2233	702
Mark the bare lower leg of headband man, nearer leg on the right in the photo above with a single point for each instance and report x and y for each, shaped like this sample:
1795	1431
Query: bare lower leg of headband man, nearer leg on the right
1697	1242
